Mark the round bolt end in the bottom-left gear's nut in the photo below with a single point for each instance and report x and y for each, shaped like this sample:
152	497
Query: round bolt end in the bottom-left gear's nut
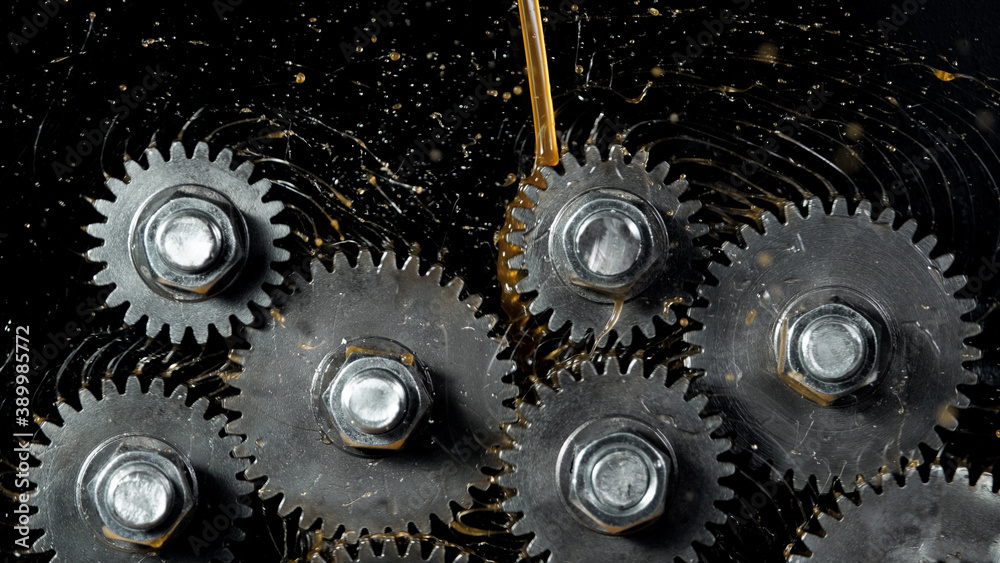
140	496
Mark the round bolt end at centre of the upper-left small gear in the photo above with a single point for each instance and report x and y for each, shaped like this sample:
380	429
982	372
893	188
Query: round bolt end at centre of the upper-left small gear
189	241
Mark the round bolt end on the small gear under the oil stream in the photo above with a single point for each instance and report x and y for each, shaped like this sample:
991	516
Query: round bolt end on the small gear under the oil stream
608	242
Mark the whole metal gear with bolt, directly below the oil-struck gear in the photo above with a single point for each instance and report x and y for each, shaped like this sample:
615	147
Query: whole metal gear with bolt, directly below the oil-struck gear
574	427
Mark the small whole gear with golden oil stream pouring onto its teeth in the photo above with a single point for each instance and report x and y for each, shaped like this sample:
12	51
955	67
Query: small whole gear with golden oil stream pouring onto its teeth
606	229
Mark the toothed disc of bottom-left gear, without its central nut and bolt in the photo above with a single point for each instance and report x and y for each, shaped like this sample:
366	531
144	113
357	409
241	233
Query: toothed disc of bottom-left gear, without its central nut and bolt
131	415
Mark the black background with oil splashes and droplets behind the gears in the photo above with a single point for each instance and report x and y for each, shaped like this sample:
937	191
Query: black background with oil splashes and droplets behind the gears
417	140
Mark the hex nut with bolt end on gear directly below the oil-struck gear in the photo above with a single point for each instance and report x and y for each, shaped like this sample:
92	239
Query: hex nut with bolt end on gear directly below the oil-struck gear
619	482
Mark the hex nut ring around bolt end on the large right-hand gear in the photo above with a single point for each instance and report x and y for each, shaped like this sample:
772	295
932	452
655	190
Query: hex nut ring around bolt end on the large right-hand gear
794	375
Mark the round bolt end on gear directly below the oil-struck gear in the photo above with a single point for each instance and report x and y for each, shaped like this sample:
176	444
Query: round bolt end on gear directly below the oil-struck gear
620	479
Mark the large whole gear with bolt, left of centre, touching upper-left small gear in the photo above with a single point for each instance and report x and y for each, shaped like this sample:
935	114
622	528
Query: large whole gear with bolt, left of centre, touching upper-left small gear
296	387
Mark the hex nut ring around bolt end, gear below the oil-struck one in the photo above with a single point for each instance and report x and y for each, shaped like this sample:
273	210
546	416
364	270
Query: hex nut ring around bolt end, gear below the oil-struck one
648	508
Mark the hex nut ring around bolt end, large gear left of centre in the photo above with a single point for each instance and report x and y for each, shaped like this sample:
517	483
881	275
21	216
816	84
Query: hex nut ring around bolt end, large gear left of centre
418	401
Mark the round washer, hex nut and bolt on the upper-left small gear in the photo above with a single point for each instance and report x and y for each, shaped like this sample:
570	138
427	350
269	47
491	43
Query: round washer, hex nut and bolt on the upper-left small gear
189	242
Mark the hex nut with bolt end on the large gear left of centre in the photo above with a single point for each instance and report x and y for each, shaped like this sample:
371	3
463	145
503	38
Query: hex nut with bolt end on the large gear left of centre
377	401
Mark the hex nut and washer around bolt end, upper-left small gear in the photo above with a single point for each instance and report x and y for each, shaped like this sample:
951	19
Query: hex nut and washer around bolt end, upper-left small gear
213	212
